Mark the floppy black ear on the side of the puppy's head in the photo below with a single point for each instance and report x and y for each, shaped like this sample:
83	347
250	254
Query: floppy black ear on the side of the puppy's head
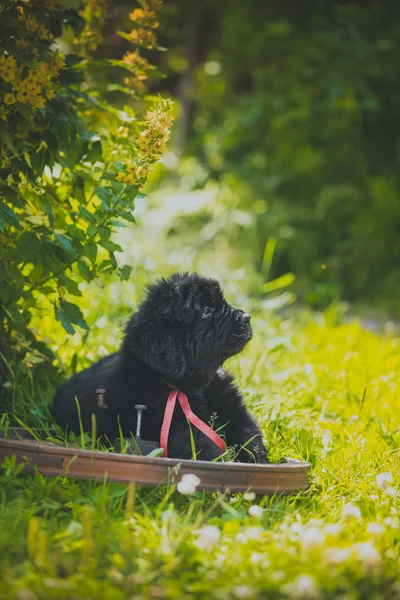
162	350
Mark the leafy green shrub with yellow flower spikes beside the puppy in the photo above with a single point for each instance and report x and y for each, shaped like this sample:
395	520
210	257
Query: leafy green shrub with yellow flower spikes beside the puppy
73	156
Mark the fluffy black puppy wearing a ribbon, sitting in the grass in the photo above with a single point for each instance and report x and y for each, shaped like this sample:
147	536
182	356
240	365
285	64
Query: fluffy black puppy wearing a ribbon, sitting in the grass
182	334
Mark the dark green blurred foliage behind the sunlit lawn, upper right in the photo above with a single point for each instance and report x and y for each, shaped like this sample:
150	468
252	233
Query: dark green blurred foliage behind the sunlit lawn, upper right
300	105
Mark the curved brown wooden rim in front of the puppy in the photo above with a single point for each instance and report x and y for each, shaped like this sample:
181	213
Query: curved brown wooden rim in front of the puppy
50	459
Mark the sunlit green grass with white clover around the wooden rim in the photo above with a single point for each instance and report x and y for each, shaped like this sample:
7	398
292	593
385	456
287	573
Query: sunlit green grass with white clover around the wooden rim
322	392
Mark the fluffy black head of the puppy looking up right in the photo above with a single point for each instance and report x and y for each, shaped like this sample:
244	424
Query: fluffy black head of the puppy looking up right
185	327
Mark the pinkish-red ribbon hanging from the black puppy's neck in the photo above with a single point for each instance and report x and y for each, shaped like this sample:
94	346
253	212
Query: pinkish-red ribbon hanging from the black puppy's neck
168	414
